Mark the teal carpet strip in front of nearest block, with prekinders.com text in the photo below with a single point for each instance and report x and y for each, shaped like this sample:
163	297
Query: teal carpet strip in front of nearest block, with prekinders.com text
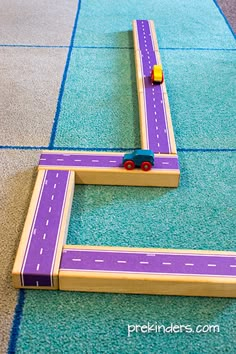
66	322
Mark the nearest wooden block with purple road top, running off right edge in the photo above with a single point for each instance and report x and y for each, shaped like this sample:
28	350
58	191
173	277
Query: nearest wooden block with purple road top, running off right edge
148	271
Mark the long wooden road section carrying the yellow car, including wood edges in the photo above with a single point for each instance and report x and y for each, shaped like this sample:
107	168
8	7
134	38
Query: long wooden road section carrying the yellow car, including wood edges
155	116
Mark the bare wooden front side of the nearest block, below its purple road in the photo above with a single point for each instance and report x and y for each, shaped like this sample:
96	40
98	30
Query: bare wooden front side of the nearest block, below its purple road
147	284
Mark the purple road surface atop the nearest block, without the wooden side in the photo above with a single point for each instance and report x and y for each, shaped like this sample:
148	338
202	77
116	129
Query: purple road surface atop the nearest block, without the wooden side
148	263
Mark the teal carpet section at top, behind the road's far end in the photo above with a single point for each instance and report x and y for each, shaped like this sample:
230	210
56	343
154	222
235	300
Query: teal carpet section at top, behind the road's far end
179	23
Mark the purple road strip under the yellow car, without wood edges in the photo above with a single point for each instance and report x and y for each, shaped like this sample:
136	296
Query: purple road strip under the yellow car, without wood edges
157	133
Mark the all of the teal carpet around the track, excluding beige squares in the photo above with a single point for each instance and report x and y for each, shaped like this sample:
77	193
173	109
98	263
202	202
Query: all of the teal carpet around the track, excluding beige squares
98	109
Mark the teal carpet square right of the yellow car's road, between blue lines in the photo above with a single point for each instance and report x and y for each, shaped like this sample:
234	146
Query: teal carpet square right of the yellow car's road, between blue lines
201	90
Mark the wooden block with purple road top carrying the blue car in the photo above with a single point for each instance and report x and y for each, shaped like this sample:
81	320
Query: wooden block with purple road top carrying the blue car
106	169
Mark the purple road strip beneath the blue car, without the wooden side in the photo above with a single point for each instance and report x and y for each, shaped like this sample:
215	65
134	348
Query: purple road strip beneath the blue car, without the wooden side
96	160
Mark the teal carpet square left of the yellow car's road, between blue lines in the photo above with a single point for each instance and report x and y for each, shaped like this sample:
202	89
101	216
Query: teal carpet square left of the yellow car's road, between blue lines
100	104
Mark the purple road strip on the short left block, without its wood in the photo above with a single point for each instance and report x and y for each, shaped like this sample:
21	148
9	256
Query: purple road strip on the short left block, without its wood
41	249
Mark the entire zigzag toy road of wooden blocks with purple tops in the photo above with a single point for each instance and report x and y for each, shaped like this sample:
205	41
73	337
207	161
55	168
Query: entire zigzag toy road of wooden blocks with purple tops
44	262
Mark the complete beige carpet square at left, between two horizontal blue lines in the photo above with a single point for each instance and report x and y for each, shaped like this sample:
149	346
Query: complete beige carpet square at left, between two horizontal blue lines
30	82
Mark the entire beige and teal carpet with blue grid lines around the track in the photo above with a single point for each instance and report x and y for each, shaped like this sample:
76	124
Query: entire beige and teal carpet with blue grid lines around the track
68	81
